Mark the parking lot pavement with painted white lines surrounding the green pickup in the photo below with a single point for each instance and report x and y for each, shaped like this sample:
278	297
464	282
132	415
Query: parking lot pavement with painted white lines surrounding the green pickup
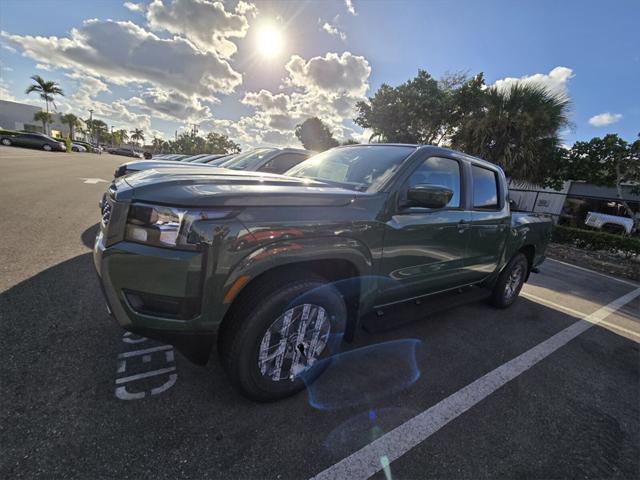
82	400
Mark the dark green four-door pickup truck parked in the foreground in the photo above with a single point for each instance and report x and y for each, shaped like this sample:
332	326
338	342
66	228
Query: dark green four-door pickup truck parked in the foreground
280	269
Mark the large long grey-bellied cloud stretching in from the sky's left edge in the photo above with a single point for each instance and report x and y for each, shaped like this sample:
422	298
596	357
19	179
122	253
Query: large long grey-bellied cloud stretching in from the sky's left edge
123	53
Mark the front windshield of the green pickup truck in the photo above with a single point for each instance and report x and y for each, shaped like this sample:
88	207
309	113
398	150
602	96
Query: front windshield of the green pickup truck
362	167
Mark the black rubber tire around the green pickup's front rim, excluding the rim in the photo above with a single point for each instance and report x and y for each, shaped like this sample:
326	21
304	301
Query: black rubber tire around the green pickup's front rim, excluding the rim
259	309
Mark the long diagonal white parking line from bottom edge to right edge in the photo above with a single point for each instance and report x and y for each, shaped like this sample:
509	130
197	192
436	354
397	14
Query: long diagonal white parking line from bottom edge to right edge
389	447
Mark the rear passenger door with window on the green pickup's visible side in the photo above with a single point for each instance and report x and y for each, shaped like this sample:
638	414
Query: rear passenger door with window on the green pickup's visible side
490	222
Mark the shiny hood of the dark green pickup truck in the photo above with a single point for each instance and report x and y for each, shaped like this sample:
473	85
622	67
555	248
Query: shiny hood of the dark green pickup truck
210	187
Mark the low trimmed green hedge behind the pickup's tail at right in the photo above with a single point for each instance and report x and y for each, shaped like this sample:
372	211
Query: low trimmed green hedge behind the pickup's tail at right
594	240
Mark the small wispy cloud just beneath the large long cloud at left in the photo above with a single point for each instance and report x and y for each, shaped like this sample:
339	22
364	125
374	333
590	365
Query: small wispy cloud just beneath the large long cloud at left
171	105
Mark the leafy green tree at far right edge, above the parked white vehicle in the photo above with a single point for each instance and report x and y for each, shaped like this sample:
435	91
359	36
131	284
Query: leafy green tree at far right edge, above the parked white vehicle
609	161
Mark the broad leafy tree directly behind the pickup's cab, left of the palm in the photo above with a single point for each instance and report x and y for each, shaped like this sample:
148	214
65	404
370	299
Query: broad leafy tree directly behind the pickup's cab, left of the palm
422	110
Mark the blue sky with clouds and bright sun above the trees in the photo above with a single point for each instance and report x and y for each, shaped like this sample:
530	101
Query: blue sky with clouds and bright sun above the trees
253	70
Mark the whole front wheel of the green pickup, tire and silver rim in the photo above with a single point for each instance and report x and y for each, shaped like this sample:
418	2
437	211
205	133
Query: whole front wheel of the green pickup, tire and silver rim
274	340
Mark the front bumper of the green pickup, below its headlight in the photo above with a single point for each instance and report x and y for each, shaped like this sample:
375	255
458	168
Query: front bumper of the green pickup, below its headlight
155	292
